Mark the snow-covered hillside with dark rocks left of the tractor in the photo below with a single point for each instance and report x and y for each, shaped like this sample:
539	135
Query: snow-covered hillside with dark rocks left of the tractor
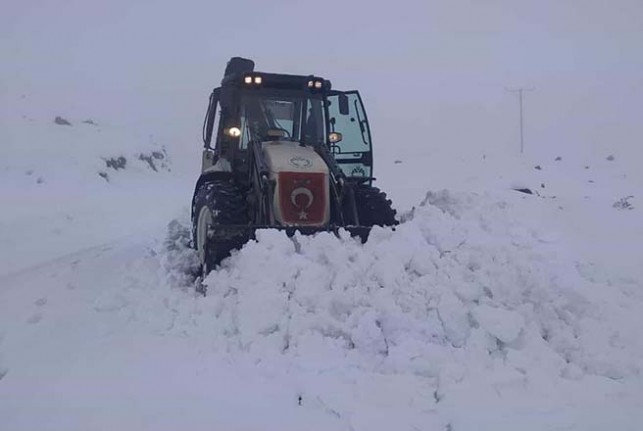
69	183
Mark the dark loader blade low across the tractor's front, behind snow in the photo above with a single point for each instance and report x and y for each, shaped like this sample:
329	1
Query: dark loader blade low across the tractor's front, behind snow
244	233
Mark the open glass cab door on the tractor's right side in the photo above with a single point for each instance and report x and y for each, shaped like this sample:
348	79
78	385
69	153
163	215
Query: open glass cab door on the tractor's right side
346	115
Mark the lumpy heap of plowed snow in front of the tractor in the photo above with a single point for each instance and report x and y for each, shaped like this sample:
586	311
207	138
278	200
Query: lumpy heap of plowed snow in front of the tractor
453	280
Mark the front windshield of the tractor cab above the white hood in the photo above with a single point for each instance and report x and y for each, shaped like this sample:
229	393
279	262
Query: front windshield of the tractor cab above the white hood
297	118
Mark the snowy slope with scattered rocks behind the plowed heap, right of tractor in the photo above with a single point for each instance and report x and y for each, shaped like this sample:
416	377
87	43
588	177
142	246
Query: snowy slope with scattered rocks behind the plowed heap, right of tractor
589	198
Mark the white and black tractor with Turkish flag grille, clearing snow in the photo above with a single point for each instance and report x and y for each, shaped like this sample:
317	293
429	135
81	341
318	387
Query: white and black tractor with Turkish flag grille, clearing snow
289	153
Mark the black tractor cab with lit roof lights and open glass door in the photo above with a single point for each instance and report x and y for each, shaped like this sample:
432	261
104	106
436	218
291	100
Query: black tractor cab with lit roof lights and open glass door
261	107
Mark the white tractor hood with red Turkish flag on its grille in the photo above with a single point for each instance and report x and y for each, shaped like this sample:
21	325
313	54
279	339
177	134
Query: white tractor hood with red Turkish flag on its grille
302	196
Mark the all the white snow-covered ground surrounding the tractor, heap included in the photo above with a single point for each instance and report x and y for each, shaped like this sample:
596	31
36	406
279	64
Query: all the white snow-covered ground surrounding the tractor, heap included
486	308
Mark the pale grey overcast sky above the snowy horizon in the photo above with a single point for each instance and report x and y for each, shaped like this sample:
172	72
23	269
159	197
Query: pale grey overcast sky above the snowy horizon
433	73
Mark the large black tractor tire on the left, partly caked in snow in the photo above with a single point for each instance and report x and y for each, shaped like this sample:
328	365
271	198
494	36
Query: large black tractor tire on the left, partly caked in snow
216	203
